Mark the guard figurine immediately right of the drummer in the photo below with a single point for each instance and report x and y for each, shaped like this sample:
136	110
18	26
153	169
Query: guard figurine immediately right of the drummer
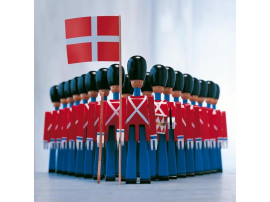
171	123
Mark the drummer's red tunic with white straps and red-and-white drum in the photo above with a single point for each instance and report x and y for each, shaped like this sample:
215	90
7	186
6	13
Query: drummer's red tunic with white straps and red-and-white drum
161	115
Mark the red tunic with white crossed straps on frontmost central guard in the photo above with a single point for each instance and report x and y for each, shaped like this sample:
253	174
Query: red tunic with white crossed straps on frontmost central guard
140	110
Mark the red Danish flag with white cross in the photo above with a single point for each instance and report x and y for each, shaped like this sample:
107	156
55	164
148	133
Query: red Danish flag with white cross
94	38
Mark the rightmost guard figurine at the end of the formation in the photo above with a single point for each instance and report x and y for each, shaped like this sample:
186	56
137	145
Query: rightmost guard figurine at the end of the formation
219	138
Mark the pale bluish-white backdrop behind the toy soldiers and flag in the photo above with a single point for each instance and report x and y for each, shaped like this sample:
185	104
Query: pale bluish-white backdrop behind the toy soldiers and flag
192	36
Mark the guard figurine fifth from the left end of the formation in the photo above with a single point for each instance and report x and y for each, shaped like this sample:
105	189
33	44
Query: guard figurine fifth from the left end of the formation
81	122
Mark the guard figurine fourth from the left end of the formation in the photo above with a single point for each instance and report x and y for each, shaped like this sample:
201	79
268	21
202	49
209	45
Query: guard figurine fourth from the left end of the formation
73	125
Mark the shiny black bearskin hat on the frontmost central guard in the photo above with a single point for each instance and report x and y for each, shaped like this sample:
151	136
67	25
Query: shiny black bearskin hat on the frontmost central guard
136	68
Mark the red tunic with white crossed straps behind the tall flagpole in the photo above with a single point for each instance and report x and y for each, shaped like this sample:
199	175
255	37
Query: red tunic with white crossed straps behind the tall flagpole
112	117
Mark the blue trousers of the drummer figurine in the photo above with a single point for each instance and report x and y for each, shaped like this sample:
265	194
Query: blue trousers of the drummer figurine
162	155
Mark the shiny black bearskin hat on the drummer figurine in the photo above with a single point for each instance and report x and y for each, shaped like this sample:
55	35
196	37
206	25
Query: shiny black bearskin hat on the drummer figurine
158	75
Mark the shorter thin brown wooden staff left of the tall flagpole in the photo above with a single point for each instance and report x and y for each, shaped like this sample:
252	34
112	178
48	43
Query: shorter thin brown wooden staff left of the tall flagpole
100	136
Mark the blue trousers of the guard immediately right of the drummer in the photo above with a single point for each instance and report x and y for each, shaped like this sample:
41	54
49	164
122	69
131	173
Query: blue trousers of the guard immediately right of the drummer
172	155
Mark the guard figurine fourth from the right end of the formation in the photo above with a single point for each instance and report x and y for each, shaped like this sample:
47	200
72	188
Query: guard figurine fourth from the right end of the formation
197	127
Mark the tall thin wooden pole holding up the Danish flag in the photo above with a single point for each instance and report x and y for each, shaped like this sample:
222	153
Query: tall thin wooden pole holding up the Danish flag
120	92
